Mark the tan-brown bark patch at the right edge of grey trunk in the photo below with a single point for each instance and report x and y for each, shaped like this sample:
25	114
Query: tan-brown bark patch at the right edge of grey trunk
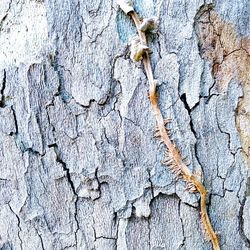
230	57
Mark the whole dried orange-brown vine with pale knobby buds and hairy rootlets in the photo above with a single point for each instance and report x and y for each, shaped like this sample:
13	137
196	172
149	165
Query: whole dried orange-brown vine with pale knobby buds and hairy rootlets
173	159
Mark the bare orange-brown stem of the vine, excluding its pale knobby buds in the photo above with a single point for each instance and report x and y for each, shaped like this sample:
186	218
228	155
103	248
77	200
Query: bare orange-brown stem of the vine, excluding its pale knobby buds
173	158
